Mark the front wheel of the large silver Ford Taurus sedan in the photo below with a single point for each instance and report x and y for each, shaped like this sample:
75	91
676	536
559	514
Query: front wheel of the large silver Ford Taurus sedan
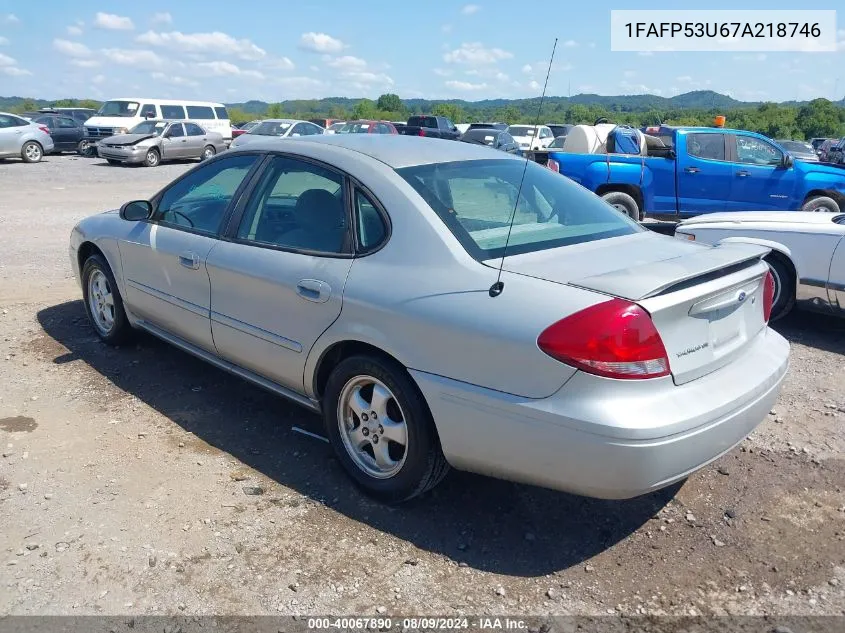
103	302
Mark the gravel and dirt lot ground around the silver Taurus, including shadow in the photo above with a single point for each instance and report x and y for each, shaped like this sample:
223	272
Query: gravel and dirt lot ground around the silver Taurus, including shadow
123	472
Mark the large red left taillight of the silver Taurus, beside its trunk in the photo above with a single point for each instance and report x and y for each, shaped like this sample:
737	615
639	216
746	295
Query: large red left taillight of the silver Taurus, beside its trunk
616	339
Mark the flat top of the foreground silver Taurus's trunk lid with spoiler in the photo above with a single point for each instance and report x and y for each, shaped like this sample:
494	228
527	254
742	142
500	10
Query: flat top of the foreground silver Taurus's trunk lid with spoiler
632	267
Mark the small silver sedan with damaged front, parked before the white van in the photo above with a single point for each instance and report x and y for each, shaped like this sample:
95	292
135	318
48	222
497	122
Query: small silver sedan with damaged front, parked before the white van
153	141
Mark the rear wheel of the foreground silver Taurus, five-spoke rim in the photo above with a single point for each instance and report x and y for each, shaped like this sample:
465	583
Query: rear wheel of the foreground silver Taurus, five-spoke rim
381	430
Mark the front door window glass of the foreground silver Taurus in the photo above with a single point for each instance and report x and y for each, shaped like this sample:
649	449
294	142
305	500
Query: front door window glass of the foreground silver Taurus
199	201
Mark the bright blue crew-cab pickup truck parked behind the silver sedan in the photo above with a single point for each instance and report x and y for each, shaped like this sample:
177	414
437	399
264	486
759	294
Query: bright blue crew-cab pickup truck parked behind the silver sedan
691	171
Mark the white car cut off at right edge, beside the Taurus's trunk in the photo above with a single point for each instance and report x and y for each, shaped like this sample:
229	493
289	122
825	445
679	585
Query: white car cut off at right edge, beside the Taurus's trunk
807	257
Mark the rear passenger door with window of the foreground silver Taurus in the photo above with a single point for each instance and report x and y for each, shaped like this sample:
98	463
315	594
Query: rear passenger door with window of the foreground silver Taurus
277	283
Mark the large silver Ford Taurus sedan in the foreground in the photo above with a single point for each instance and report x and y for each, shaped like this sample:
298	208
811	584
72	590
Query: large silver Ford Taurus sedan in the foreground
359	276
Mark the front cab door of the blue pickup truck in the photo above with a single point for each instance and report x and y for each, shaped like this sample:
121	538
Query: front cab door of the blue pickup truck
761	179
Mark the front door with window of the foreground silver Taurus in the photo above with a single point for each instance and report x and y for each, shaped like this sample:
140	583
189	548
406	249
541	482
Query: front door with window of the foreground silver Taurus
164	259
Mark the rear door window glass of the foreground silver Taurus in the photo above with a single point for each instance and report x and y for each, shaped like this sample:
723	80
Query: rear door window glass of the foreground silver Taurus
297	205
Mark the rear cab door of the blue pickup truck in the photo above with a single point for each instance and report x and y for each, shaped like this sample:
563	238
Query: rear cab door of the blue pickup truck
704	176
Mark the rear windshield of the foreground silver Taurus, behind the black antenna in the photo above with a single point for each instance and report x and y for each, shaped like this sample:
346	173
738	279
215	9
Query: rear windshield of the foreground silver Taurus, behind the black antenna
476	200
